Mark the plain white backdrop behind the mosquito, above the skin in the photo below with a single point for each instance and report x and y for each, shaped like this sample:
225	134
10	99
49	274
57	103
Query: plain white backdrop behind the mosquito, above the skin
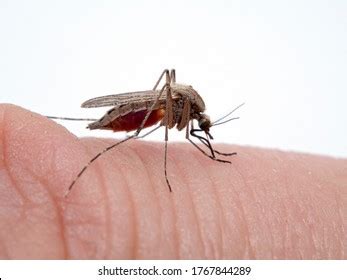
286	59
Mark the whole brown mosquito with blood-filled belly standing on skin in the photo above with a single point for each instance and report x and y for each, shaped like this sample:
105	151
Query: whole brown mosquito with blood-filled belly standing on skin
172	105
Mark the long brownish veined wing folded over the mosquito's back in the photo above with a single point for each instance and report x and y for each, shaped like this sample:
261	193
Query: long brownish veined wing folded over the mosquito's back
120	99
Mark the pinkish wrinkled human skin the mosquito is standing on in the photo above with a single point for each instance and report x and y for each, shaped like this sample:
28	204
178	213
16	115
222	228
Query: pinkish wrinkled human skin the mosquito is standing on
267	204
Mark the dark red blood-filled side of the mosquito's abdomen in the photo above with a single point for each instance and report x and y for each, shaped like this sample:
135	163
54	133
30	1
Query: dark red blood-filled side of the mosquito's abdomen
132	121
